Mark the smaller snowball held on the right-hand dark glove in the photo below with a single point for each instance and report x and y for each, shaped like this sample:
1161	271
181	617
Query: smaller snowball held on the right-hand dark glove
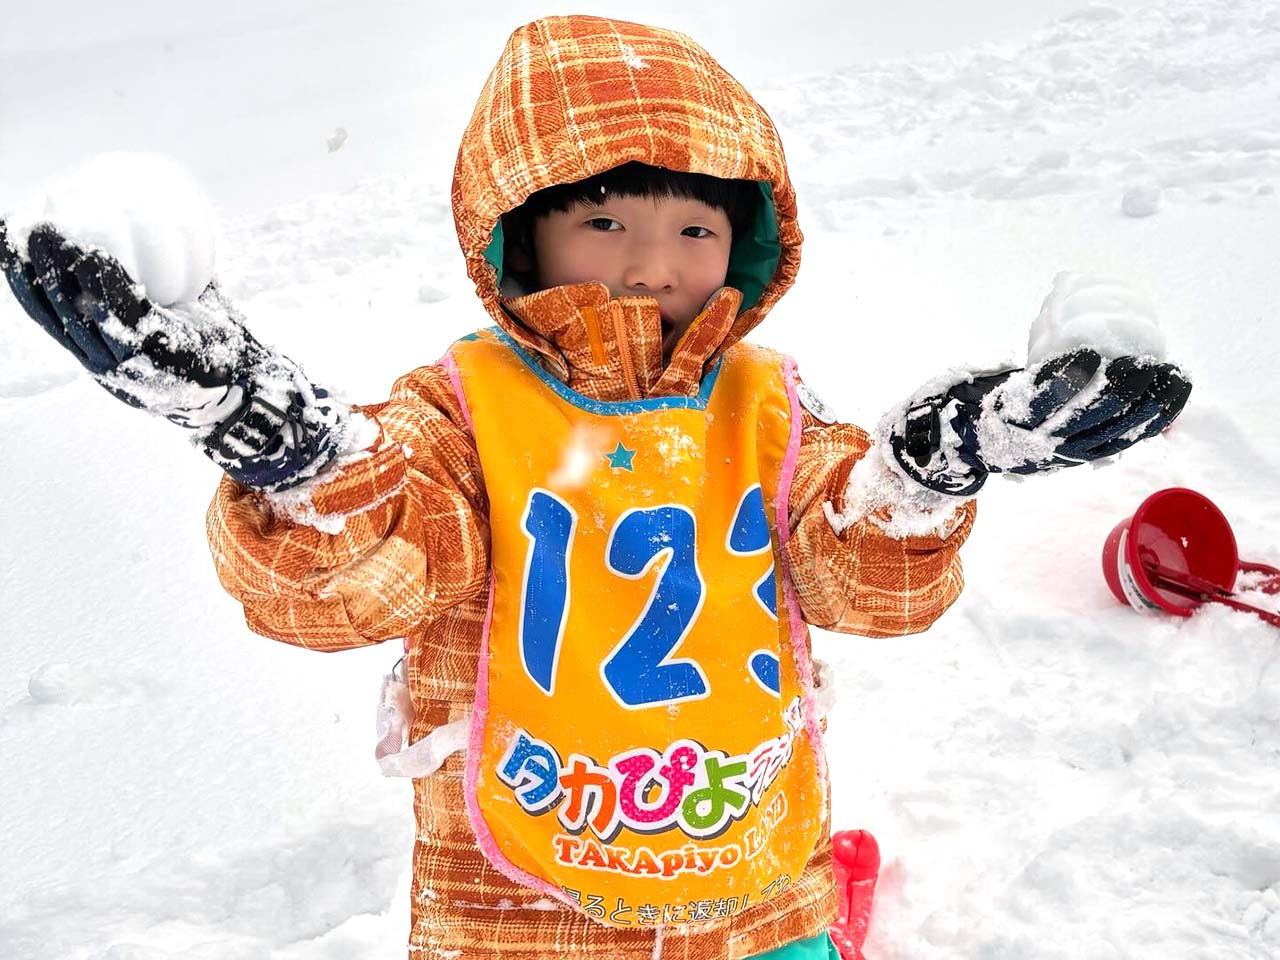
1100	313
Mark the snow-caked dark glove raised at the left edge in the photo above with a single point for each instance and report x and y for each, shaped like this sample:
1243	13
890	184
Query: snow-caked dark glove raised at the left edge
250	409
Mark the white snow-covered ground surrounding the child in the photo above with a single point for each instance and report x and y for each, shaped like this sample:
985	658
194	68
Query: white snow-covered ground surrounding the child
1049	774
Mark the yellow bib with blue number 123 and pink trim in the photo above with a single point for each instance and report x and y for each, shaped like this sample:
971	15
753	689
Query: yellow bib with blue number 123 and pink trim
642	738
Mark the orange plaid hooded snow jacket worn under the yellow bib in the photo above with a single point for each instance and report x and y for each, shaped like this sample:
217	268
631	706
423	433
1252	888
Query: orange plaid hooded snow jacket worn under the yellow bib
569	99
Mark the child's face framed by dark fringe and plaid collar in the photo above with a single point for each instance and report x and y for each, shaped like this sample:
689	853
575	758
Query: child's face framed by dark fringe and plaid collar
671	249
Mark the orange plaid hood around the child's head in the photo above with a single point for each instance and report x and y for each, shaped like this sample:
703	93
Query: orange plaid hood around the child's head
575	97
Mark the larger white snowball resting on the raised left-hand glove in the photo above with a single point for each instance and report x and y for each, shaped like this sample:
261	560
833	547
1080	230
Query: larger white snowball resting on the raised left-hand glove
141	209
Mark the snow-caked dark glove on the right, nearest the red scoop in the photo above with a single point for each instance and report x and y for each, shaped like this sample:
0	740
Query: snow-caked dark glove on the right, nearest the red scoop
1067	410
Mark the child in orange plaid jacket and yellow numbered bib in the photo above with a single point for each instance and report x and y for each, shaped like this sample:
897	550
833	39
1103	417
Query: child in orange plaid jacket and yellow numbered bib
602	525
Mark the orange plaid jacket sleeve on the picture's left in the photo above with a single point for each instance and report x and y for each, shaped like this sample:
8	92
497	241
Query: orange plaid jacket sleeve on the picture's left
410	540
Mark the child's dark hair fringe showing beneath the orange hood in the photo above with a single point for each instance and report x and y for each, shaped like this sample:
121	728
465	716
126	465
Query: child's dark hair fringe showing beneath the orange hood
738	199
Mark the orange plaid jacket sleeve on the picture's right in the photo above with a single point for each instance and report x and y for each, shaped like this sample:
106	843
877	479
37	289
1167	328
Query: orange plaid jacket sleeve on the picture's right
863	582
